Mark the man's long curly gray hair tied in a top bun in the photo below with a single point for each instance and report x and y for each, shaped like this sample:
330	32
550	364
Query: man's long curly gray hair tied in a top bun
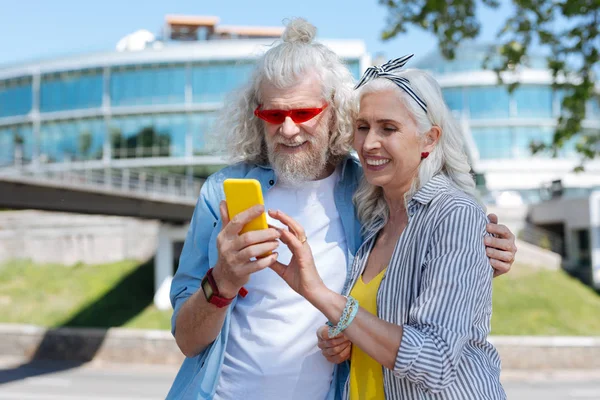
282	66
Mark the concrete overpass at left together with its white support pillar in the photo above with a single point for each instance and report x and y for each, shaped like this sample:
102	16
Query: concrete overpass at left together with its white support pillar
169	199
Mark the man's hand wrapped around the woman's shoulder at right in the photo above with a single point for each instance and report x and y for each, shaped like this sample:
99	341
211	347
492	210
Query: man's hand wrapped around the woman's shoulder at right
500	248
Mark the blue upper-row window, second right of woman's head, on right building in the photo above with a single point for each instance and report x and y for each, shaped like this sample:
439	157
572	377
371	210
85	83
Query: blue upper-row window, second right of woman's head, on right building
488	102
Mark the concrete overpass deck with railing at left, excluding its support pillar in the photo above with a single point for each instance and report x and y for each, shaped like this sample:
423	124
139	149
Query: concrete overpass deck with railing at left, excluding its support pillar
69	191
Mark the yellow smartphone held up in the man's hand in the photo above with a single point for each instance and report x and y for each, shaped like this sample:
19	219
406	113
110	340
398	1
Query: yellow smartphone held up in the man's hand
241	194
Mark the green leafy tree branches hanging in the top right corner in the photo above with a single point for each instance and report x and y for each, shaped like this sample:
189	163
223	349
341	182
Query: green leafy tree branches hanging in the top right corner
569	29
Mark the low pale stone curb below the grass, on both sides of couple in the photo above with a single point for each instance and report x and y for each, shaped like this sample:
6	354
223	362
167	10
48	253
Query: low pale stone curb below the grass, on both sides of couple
120	345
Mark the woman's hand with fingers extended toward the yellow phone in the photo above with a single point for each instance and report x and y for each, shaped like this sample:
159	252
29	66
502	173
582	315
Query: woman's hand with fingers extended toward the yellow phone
301	274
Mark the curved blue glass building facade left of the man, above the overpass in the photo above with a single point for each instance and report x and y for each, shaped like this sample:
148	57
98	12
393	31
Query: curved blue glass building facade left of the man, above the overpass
125	110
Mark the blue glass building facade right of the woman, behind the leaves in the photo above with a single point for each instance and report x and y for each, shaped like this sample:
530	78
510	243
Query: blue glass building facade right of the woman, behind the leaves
503	125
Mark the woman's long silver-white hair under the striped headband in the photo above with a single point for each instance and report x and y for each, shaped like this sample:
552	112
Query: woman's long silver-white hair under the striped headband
447	157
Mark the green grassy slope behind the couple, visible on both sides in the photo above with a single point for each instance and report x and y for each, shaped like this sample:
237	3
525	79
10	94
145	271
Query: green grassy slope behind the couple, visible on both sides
526	302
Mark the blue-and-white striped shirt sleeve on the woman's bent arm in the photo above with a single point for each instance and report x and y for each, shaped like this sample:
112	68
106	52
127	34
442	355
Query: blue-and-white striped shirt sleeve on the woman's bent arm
456	276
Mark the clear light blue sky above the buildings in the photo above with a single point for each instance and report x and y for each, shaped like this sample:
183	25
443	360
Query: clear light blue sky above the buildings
42	29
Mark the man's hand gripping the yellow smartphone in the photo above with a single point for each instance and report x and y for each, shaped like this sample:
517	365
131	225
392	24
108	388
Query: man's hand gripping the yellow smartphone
233	268
